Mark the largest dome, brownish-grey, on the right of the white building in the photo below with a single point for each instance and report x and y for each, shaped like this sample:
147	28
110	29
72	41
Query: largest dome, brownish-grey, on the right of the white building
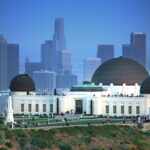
120	70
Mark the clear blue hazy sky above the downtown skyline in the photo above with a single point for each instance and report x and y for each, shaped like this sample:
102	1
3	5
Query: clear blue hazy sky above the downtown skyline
87	23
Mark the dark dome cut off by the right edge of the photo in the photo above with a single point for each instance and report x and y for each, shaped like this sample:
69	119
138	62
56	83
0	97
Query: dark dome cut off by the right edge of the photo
145	87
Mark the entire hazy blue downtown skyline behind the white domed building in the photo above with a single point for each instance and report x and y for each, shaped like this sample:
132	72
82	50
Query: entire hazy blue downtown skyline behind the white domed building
54	70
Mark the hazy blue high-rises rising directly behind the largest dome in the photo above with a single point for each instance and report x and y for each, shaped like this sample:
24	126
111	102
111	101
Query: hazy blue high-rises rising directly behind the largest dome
136	50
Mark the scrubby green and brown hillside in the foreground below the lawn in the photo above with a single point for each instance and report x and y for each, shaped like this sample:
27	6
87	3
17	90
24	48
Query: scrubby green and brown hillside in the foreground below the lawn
84	138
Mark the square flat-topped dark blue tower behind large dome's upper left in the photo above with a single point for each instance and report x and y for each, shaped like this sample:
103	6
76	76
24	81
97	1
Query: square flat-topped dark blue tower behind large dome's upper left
105	52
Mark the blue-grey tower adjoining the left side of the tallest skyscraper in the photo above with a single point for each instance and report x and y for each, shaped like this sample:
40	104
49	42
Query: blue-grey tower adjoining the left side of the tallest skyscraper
49	55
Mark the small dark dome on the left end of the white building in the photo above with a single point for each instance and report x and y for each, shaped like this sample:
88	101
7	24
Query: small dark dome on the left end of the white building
22	82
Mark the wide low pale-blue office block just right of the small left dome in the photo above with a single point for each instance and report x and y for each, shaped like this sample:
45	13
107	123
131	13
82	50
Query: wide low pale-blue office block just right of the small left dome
45	81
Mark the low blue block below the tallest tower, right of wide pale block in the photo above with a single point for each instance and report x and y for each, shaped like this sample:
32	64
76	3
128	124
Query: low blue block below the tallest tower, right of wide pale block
65	80
